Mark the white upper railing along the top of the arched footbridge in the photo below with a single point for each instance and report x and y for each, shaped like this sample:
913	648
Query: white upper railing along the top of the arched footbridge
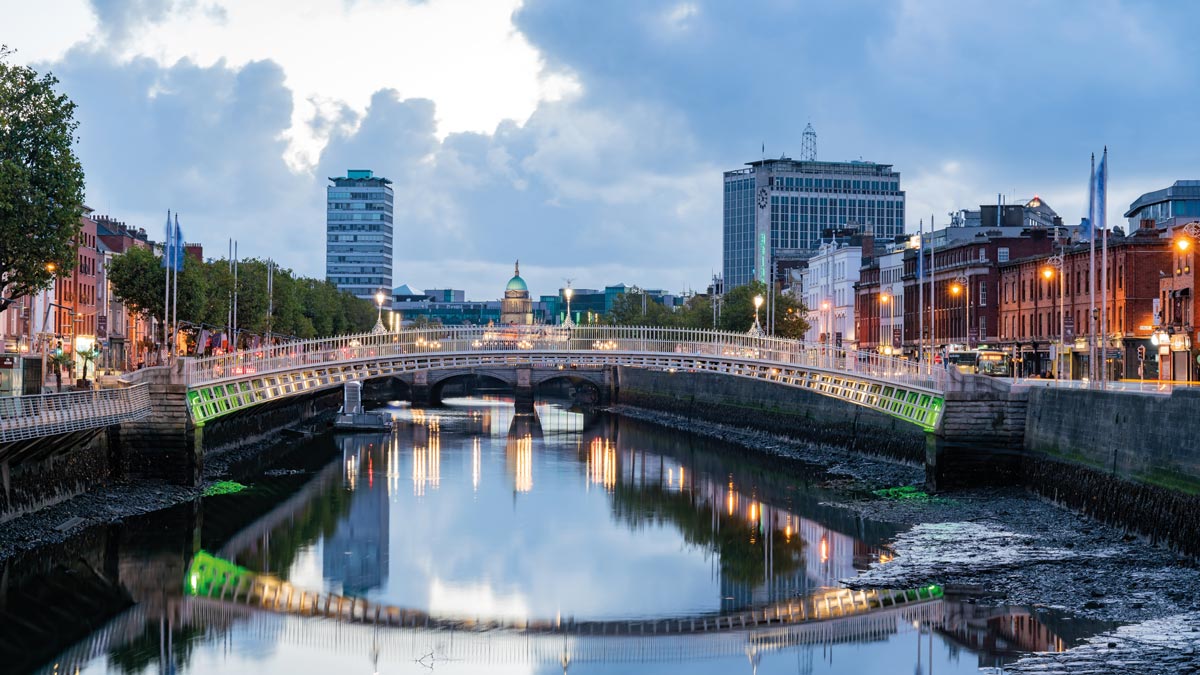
577	341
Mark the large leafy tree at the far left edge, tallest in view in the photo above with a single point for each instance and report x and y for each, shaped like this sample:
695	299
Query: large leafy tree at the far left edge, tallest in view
41	182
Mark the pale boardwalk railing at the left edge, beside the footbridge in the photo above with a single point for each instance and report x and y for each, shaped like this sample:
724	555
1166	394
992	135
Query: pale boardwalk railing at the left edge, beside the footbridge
46	415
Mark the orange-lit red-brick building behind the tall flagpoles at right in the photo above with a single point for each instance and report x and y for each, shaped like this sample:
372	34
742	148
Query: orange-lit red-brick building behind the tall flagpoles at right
1034	319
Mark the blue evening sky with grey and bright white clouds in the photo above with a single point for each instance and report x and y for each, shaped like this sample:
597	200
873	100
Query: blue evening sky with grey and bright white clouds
589	139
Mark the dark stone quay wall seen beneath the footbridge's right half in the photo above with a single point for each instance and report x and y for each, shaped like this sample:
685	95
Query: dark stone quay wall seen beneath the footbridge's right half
772	408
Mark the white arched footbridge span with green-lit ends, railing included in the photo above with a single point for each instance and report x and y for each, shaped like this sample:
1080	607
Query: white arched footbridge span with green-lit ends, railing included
225	384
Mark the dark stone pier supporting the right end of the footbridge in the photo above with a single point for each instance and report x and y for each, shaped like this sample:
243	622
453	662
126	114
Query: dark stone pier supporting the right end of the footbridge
981	439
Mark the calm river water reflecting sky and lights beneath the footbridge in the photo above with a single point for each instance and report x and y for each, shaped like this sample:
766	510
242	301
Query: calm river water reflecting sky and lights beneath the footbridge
472	512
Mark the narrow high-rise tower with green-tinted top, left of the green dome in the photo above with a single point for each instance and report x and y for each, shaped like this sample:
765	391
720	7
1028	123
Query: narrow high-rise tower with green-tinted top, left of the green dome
358	235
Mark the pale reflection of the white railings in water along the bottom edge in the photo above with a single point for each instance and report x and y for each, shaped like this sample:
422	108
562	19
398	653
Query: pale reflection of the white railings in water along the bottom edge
495	648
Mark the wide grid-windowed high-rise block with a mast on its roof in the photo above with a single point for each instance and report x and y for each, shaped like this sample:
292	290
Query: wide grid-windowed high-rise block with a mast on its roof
782	210
